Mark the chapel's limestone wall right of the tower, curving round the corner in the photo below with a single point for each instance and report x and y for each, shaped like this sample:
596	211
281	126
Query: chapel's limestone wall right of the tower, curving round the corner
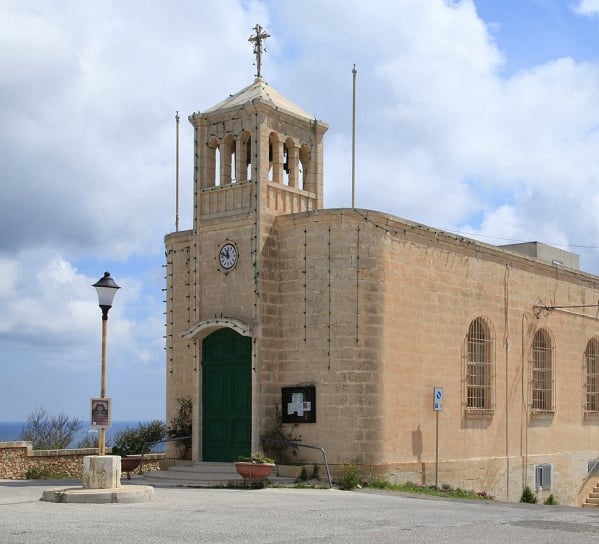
374	311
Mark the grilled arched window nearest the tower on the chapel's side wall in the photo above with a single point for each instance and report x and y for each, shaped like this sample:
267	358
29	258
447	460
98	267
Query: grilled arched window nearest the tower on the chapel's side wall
480	373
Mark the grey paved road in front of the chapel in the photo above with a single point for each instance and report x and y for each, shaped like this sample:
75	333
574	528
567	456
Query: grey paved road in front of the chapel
287	516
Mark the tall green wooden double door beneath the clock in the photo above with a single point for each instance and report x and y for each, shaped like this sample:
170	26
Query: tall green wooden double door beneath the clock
226	396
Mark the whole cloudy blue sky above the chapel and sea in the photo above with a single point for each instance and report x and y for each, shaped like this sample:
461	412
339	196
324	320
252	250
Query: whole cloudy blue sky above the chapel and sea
479	117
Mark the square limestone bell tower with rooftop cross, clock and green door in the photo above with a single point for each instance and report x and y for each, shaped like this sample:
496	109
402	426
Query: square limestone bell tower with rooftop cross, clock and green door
256	156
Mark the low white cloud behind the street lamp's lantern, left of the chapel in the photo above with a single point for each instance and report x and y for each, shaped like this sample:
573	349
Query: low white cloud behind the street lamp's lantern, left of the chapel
53	309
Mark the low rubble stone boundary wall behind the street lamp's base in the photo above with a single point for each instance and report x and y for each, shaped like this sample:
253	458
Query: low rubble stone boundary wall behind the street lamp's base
17	458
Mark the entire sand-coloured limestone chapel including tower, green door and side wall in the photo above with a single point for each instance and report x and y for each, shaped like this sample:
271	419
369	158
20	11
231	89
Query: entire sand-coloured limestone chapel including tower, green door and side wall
344	321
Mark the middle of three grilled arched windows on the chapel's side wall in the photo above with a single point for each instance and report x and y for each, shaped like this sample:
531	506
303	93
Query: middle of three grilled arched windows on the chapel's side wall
542	372
